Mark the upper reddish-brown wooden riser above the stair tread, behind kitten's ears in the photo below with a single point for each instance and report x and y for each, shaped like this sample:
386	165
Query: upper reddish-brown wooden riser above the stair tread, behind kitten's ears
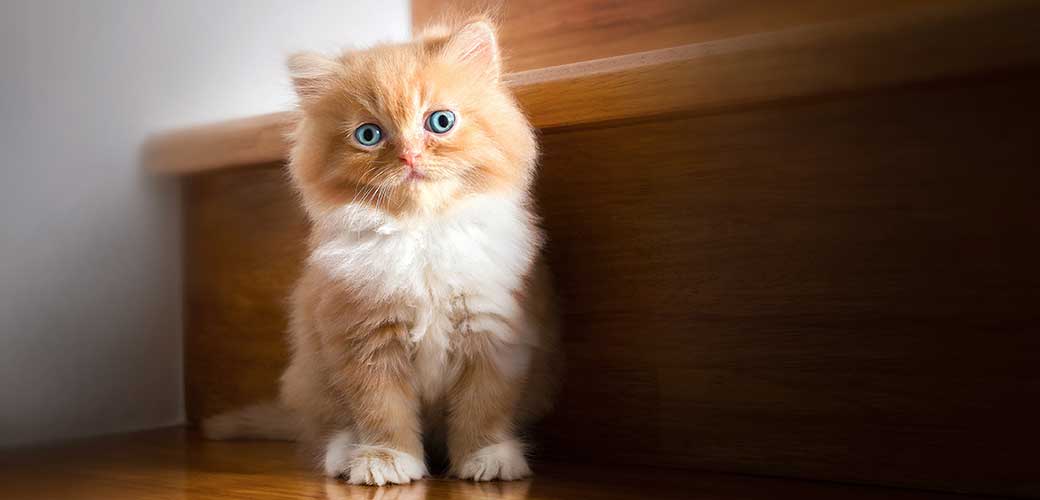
540	34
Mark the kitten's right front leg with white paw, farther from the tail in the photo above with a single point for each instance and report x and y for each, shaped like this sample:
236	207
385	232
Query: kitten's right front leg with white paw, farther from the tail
482	439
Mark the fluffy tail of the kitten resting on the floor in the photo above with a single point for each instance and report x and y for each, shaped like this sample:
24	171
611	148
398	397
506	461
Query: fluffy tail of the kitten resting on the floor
265	422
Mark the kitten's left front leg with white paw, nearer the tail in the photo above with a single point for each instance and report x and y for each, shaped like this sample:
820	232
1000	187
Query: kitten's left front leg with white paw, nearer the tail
384	444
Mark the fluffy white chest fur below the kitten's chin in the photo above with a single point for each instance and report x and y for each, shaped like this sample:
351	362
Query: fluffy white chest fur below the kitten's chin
477	254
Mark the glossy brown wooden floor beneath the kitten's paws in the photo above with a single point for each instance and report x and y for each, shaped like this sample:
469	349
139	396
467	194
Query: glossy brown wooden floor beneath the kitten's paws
176	464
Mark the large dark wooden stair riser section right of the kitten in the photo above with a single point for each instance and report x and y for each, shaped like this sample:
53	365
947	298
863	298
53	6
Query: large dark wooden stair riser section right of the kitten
844	290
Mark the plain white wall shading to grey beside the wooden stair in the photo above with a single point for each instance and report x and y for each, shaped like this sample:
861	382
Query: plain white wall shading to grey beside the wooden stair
90	273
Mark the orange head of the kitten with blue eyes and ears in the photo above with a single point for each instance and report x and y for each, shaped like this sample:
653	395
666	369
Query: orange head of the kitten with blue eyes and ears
409	128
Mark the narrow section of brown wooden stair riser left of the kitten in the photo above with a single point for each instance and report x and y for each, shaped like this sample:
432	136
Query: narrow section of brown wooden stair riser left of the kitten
244	244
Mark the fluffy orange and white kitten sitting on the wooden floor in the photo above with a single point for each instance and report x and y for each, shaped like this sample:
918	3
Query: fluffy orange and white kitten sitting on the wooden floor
425	309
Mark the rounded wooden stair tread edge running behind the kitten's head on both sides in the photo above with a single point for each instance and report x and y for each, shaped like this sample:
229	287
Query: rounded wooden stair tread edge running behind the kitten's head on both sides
961	40
